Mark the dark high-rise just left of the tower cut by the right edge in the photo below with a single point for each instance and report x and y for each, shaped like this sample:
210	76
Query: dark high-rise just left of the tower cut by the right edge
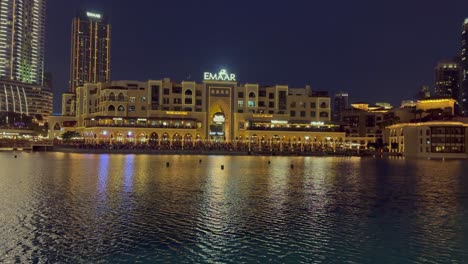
447	80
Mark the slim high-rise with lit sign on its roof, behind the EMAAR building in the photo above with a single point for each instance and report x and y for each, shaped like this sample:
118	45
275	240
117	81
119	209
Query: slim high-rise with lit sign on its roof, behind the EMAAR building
90	50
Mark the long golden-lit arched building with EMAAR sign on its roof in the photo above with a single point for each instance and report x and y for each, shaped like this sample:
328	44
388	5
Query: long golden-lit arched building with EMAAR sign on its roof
217	110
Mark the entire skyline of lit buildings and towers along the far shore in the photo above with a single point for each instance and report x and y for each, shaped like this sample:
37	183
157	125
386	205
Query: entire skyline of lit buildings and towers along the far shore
219	109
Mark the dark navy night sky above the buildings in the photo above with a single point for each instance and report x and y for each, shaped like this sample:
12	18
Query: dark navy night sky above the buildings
375	50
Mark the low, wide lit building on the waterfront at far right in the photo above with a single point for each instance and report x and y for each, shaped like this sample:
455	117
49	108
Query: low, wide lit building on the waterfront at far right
435	139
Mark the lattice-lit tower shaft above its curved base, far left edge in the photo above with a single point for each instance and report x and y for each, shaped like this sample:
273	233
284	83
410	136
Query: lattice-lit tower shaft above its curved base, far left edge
22	29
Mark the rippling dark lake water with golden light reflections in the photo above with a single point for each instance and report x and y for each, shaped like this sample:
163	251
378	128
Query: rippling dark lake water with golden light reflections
85	208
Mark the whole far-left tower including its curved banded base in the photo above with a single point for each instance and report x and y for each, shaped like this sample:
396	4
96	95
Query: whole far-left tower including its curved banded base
22	58
